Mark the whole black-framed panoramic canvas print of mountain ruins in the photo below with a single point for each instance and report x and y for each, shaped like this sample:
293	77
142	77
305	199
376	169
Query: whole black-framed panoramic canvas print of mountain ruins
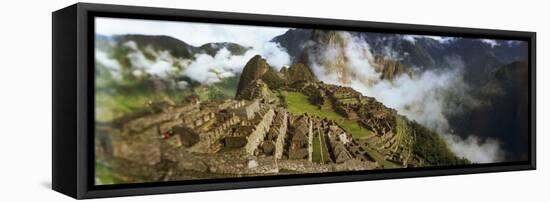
155	100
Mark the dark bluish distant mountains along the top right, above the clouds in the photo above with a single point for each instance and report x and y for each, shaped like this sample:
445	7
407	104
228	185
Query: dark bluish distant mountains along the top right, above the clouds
480	58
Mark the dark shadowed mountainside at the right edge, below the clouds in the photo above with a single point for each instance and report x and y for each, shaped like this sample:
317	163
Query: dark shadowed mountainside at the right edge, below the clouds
503	110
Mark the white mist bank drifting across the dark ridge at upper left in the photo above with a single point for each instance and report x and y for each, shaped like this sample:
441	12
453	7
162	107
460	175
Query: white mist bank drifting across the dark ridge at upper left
204	68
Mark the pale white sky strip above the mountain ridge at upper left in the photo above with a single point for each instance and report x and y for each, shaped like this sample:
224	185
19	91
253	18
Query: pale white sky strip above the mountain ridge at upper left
193	33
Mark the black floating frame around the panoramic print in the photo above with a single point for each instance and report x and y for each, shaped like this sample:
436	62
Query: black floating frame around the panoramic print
73	100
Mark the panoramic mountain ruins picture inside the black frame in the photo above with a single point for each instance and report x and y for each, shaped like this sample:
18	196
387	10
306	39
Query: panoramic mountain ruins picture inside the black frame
180	101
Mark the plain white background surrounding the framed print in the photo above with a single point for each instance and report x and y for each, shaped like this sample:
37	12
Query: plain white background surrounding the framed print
25	99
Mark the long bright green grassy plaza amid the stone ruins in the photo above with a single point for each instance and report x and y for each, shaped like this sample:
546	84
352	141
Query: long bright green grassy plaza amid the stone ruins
298	103
